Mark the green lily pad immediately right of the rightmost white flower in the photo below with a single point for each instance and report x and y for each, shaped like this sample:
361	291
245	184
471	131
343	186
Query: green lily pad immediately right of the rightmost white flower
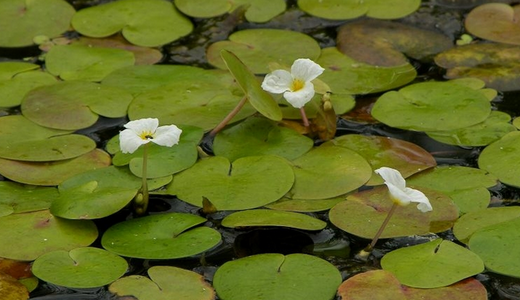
466	186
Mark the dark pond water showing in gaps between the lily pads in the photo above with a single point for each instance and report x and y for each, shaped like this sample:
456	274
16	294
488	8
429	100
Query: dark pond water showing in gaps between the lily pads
331	244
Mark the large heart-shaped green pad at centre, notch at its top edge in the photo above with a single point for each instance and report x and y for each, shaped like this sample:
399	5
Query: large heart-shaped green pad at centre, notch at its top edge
248	182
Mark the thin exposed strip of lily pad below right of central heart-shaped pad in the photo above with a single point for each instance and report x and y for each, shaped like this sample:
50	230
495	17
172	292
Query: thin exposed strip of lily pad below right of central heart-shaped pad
298	205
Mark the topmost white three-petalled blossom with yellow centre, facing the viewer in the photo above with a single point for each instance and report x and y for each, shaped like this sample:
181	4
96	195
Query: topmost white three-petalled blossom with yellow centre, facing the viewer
296	86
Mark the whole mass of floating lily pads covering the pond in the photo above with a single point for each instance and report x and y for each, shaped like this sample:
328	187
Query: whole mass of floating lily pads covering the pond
262	166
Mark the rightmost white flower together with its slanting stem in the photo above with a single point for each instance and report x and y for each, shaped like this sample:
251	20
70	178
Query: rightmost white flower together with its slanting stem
401	196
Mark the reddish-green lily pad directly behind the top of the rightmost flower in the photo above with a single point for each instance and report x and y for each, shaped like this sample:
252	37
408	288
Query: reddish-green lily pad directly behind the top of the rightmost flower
380	151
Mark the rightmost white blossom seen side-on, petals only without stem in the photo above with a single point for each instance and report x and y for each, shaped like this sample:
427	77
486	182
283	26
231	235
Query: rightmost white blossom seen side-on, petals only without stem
401	194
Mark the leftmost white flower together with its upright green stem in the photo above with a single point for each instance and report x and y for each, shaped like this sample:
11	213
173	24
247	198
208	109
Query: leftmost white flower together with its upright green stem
141	132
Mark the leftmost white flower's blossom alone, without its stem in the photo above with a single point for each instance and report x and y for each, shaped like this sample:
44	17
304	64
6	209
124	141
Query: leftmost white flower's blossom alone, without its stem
143	131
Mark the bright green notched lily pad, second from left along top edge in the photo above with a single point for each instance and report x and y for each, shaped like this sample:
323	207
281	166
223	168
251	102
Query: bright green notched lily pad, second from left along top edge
145	23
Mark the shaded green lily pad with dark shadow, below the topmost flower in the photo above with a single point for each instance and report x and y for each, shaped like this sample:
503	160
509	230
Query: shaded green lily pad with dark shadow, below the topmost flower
259	136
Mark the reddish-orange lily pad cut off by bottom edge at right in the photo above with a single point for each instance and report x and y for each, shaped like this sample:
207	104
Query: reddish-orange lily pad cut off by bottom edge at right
384	285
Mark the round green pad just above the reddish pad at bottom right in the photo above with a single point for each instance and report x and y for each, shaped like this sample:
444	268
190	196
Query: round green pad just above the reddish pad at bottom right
434	264
